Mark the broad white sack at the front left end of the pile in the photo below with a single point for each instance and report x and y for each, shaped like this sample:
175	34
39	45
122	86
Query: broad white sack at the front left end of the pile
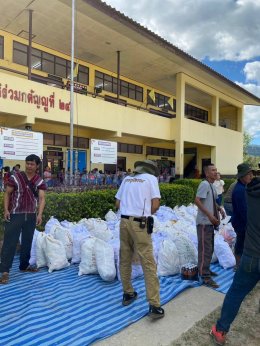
55	254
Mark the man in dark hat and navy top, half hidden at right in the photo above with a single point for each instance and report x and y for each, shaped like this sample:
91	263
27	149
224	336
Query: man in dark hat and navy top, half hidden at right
239	217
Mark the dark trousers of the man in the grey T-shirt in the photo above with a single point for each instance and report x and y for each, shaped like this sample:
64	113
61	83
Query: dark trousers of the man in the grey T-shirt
205	248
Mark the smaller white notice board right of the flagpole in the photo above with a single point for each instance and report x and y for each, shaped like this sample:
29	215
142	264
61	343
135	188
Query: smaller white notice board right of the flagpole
103	152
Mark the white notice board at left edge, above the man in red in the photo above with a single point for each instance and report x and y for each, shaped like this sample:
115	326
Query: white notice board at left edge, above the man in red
16	144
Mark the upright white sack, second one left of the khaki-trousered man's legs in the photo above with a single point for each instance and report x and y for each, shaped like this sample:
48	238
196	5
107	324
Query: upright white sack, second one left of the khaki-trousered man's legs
88	263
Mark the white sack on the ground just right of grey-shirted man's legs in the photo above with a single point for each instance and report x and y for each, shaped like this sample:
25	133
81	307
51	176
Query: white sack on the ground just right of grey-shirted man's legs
223	252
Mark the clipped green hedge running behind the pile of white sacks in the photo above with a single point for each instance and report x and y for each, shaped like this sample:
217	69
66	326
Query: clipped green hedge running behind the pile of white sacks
75	206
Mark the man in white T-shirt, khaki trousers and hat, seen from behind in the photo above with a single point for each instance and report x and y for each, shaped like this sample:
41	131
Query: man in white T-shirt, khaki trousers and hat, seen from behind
138	198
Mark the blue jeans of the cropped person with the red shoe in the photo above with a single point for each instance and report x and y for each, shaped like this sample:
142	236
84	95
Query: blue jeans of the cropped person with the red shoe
245	279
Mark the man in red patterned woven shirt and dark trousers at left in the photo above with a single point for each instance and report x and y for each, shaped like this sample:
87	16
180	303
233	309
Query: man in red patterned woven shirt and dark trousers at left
24	202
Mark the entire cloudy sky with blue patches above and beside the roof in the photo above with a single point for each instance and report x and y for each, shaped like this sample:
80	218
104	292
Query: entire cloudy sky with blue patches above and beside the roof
223	34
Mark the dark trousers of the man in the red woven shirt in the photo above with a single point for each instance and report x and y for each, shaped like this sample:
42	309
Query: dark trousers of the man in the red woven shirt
19	223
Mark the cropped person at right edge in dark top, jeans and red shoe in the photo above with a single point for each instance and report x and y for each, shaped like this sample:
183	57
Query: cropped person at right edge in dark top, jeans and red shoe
248	273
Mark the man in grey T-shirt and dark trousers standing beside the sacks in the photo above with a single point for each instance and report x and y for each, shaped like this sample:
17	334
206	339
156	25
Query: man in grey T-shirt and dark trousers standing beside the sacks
207	221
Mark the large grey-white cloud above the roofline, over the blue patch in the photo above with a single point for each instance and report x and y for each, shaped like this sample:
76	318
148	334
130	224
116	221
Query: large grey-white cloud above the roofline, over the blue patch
217	29
